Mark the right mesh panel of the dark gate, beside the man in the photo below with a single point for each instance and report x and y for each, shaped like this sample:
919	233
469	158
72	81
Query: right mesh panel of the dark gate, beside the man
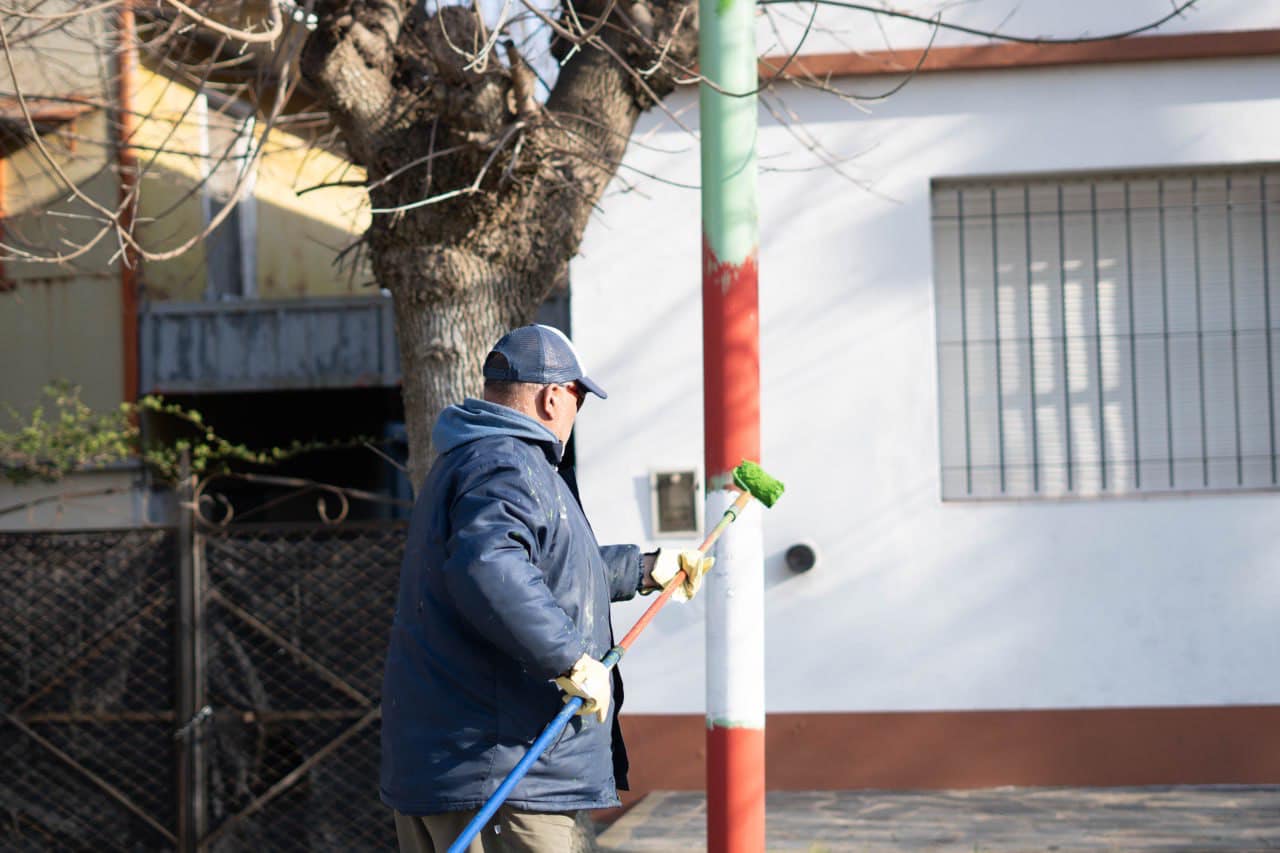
295	627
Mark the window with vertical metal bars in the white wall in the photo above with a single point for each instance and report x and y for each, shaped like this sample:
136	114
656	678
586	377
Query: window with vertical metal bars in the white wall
1109	335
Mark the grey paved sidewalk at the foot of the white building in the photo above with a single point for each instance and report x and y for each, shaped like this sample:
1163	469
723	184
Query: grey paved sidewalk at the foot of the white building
1003	819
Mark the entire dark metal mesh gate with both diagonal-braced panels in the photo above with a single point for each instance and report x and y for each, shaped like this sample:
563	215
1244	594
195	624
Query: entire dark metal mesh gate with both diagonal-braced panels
177	690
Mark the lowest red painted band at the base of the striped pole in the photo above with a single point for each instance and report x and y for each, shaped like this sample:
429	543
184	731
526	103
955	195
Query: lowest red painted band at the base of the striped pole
735	786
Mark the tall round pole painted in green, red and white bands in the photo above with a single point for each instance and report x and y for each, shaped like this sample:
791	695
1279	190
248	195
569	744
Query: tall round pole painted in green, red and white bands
732	367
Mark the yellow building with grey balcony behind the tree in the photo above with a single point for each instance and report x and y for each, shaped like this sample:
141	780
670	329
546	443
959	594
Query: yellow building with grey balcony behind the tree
234	308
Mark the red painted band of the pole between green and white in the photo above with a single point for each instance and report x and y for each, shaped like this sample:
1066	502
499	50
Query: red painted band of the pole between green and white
732	363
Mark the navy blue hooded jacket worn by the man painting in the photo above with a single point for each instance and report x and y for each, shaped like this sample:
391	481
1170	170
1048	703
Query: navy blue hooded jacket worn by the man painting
504	587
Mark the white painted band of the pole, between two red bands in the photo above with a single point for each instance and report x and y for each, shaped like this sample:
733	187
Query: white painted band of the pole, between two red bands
735	619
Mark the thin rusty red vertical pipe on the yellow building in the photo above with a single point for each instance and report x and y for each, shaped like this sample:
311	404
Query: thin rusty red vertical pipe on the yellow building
129	177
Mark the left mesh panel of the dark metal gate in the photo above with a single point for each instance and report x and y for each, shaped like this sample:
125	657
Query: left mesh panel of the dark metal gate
88	691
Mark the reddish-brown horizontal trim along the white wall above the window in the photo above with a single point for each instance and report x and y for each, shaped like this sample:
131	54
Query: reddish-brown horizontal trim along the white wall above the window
1003	56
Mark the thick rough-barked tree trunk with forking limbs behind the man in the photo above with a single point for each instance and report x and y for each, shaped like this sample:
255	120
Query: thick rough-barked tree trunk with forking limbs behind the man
525	177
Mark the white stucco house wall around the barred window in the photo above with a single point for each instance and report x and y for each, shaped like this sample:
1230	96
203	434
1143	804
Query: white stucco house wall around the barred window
917	604
